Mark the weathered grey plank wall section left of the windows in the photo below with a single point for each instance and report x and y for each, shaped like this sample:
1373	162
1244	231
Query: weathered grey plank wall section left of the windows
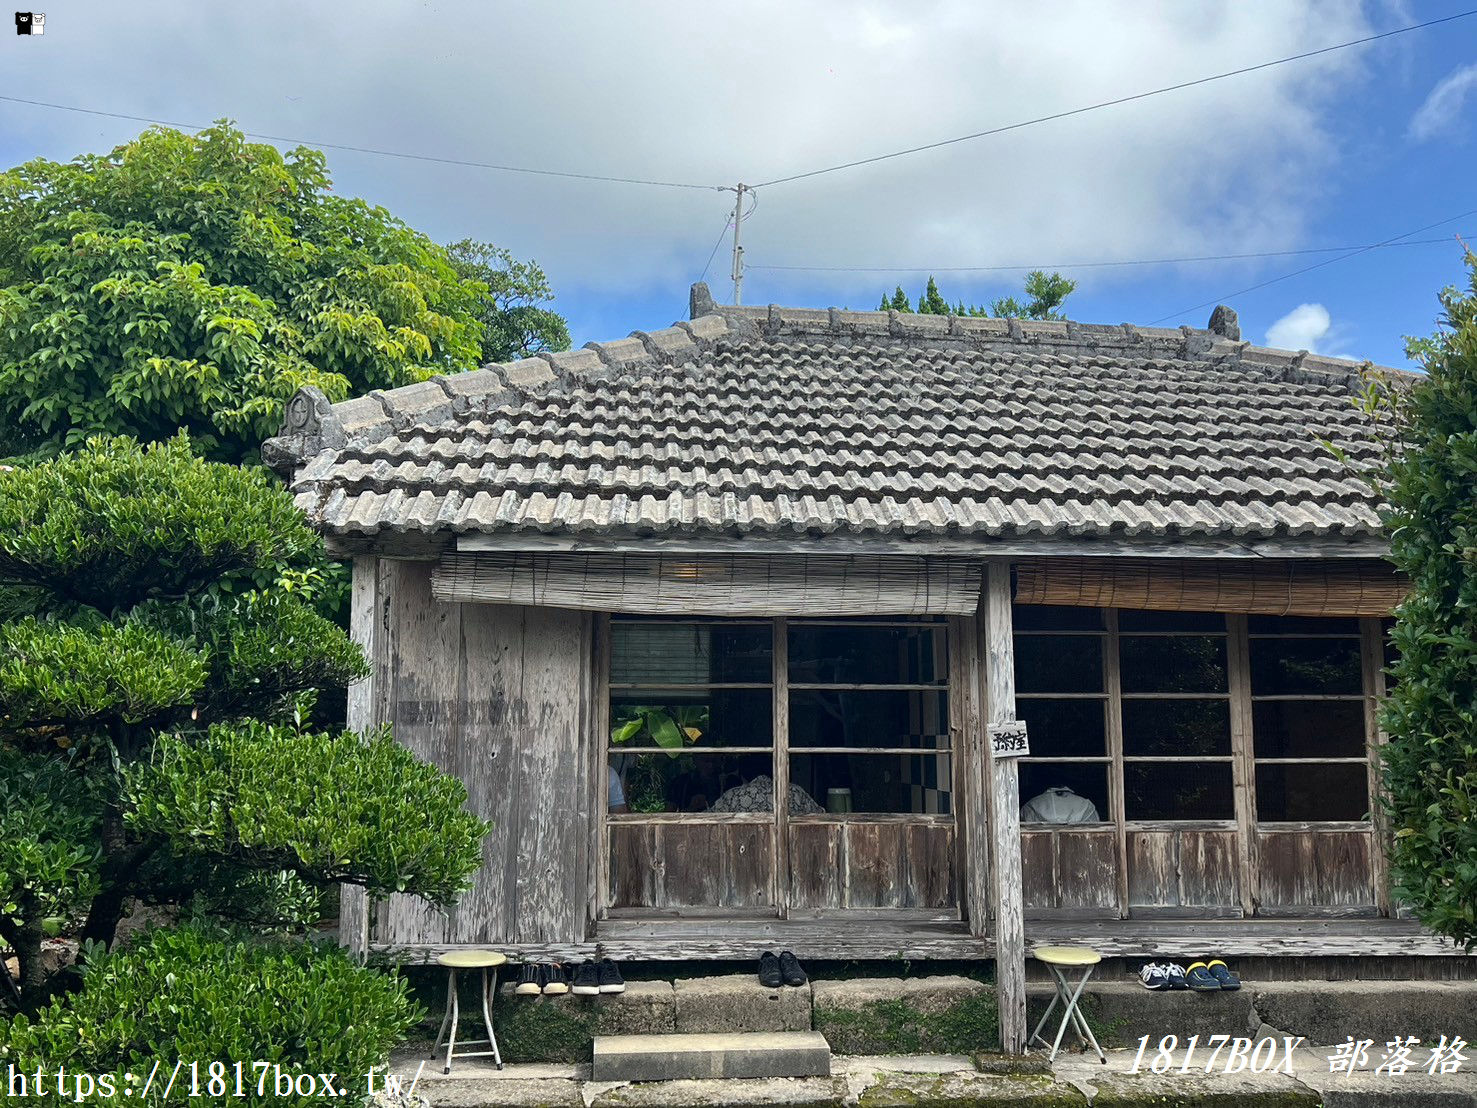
496	695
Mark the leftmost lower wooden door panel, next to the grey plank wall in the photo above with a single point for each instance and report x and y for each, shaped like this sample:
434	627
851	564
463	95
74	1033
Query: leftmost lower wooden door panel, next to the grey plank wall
690	865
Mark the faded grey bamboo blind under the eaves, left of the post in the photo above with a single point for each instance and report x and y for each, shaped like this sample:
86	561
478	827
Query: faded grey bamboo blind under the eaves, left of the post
717	586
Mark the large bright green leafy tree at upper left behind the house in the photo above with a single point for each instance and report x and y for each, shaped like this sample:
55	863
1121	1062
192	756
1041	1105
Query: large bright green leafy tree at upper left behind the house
199	281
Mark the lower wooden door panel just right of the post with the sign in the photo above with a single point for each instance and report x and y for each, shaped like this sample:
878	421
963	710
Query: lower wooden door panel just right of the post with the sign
1070	872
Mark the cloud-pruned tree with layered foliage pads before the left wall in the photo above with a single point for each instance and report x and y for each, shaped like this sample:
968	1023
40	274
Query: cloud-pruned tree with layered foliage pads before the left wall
151	674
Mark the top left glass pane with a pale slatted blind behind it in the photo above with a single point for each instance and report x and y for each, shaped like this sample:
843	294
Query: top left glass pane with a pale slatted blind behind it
690	654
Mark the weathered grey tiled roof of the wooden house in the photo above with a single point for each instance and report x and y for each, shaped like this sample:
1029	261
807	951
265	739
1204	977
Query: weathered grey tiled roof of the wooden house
782	423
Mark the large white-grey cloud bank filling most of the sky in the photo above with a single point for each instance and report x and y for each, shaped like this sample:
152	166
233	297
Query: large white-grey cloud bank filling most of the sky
750	91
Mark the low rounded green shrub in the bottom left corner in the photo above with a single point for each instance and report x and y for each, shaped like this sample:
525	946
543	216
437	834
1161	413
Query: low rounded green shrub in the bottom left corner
212	999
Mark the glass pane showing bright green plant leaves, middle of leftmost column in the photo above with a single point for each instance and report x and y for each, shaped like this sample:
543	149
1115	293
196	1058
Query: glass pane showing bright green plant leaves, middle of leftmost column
698	720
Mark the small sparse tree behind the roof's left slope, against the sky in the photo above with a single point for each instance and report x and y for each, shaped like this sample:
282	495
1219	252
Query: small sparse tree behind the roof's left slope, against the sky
516	321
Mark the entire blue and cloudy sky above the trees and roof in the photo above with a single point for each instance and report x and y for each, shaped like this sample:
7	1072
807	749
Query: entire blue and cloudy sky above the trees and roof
1342	150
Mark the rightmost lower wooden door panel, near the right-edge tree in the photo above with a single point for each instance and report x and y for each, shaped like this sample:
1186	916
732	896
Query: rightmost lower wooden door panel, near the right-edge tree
1315	872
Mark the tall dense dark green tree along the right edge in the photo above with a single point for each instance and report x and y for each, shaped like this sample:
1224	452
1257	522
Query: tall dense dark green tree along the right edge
1430	763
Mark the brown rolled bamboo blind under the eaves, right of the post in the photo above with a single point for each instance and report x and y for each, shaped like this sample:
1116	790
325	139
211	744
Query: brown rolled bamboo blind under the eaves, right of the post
1256	587
